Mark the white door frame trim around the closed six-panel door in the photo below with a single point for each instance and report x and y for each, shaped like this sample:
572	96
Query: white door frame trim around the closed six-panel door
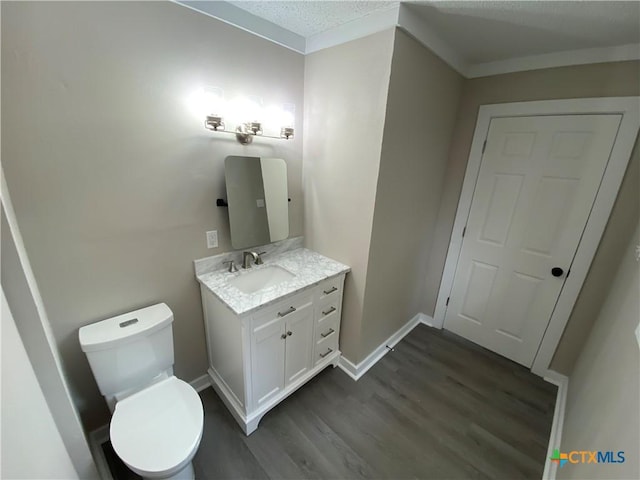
629	108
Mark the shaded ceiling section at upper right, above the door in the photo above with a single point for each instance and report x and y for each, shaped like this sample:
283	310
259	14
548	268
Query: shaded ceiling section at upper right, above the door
485	31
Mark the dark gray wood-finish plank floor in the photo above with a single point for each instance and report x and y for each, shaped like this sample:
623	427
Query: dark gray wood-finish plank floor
437	407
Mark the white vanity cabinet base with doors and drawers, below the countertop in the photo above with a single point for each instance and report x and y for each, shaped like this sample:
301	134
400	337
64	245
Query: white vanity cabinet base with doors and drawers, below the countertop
259	358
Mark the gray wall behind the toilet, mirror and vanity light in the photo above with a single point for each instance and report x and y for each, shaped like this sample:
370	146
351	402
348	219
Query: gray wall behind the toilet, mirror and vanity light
112	177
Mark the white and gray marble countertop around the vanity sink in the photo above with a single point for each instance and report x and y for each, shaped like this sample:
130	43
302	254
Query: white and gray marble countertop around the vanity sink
309	268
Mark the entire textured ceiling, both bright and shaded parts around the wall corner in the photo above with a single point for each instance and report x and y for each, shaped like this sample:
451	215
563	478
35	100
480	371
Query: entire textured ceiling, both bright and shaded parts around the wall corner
478	31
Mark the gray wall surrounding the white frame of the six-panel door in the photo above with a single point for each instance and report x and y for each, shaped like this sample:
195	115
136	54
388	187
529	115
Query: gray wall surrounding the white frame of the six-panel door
597	80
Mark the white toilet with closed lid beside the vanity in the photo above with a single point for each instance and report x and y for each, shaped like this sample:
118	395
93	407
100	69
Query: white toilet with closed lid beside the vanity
157	419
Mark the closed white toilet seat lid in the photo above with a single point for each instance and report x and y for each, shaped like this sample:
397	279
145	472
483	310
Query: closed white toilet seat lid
156	429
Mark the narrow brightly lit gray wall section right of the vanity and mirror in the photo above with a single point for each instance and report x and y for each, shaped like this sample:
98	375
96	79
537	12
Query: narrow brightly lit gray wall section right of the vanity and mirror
345	97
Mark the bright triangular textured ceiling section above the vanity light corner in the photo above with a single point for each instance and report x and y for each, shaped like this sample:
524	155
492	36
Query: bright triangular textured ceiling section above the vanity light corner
307	18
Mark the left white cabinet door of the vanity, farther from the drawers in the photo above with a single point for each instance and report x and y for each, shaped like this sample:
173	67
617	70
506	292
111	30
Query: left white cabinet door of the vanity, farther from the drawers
268	360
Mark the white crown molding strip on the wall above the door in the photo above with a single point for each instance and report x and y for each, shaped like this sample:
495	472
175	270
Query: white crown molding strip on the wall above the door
557	59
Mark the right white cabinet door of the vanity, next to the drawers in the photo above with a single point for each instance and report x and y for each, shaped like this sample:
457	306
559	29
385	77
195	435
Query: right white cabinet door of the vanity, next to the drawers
299	345
